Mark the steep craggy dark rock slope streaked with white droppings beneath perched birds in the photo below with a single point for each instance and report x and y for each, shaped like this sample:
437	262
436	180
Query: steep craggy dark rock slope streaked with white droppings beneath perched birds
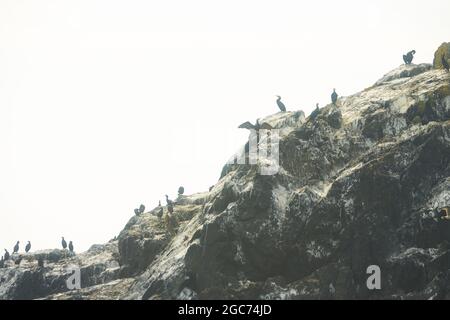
357	187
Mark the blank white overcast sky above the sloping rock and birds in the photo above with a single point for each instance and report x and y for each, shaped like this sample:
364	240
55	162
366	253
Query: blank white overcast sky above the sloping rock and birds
108	104
